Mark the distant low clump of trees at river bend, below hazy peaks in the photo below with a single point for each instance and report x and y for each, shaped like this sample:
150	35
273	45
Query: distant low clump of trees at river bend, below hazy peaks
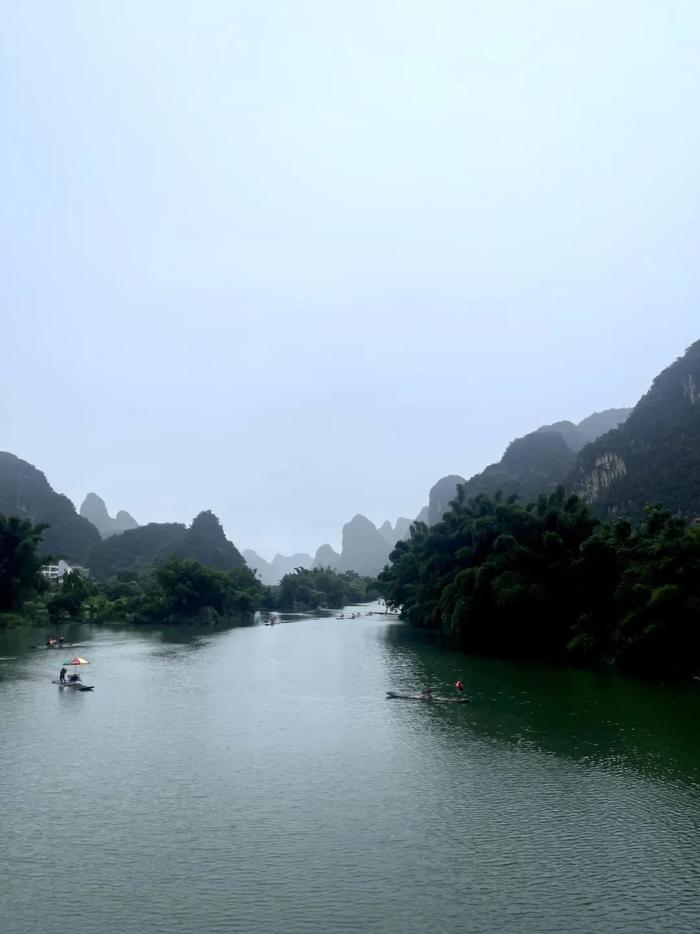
308	589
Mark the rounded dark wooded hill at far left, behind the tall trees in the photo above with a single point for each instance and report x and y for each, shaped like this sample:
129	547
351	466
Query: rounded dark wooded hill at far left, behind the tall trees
25	492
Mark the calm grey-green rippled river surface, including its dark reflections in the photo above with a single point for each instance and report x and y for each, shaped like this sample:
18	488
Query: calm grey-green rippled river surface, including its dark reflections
257	780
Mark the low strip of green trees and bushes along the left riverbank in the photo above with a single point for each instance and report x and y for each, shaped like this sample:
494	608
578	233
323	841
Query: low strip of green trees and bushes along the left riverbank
175	590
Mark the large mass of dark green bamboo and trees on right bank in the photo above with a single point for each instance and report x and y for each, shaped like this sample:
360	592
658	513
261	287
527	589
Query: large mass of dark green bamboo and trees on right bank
548	579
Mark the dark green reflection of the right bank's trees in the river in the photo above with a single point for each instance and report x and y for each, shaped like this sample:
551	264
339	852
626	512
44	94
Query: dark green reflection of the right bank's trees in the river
599	718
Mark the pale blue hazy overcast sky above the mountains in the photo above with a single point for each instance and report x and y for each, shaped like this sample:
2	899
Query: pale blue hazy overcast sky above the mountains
291	261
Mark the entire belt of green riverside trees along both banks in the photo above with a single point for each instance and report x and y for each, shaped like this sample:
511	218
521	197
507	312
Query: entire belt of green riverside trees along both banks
546	580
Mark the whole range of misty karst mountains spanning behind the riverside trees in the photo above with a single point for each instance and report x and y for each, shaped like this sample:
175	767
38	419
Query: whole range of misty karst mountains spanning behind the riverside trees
617	460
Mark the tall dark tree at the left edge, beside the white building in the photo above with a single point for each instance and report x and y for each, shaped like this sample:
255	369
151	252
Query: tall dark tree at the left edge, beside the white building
19	563
